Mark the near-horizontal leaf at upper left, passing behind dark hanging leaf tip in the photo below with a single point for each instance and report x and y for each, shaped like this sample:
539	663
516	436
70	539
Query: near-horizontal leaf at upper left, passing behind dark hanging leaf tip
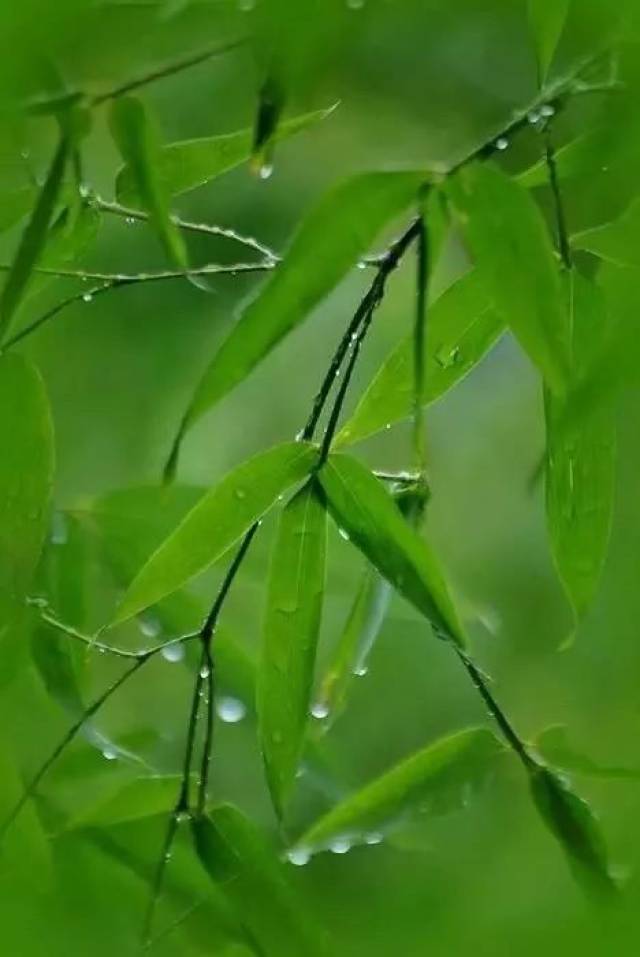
185	165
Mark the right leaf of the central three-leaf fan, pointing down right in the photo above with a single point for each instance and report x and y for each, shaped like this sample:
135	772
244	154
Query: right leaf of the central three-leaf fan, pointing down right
369	516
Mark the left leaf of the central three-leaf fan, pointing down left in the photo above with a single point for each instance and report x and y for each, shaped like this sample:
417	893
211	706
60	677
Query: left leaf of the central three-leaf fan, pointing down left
221	517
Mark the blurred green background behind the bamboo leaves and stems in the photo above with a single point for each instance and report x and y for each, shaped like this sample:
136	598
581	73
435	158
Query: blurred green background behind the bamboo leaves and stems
419	81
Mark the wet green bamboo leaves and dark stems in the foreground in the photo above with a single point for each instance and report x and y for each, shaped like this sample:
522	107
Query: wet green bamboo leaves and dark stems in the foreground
526	274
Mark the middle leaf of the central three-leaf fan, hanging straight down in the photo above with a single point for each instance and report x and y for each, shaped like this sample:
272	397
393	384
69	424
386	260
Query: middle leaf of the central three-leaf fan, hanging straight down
292	622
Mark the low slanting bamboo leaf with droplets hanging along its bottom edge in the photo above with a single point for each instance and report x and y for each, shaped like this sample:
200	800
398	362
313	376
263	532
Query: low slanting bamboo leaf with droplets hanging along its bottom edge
432	781
